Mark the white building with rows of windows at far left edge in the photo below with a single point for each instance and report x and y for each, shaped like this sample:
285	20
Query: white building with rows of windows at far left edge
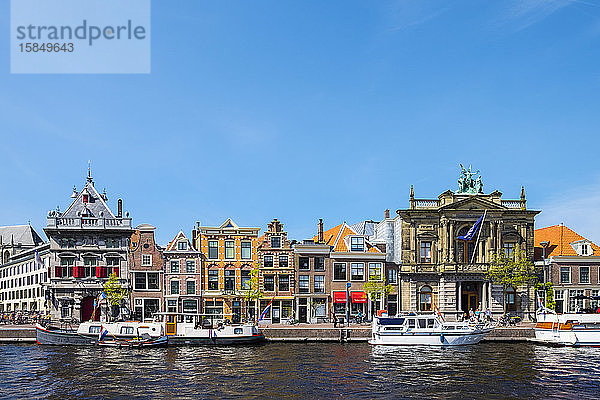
22	280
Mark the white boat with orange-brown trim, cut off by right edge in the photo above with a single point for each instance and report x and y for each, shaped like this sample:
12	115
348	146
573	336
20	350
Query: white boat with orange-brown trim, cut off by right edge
567	329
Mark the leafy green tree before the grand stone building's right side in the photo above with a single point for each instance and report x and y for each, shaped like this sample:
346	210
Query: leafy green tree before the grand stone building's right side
512	270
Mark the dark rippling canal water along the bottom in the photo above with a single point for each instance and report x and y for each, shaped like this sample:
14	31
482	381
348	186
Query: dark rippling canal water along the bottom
301	371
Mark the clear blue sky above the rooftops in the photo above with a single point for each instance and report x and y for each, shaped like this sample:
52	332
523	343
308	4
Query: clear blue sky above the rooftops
310	109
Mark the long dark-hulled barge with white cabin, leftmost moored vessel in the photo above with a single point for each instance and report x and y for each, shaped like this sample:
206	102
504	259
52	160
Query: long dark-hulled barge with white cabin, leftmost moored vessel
89	333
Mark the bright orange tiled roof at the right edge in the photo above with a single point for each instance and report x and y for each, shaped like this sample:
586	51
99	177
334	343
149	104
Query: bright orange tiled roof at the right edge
560	238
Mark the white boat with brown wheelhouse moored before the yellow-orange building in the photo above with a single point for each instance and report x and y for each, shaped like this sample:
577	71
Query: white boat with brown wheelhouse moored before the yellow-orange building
204	329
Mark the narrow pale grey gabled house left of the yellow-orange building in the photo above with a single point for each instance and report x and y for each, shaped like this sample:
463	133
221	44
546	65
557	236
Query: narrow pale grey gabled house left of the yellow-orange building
183	286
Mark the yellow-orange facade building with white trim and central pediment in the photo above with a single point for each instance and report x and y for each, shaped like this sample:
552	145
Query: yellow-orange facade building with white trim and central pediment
230	254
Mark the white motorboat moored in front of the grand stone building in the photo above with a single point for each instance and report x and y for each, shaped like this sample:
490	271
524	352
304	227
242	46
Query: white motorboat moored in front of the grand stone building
427	330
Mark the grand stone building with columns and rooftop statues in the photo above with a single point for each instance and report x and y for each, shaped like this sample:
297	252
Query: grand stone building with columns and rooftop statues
440	269
